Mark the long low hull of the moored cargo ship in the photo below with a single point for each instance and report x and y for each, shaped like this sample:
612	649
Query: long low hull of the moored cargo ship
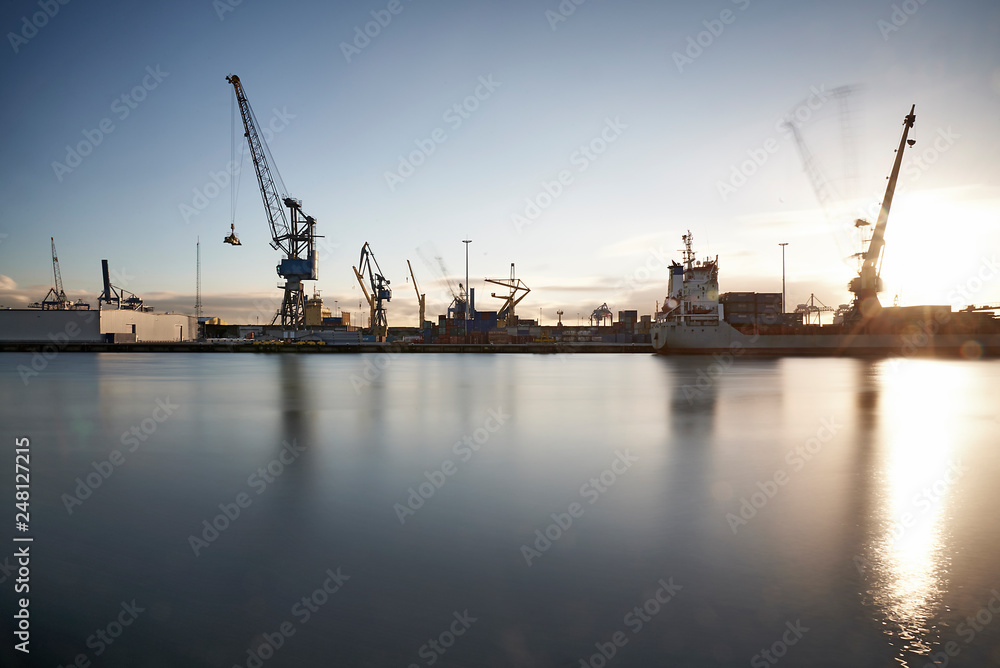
722	338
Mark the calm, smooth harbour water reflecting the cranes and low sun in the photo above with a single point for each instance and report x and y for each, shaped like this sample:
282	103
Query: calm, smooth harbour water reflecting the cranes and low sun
827	512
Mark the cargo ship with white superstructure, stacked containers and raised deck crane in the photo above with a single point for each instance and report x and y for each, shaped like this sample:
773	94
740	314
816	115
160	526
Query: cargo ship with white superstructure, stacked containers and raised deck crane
696	319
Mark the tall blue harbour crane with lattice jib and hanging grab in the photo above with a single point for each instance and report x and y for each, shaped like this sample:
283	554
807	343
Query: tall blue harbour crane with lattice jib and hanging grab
294	234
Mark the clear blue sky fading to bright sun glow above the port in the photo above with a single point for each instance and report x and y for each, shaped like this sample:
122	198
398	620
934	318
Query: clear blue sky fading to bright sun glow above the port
578	140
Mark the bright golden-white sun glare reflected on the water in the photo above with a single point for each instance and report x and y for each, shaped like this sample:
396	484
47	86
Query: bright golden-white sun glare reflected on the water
908	556
